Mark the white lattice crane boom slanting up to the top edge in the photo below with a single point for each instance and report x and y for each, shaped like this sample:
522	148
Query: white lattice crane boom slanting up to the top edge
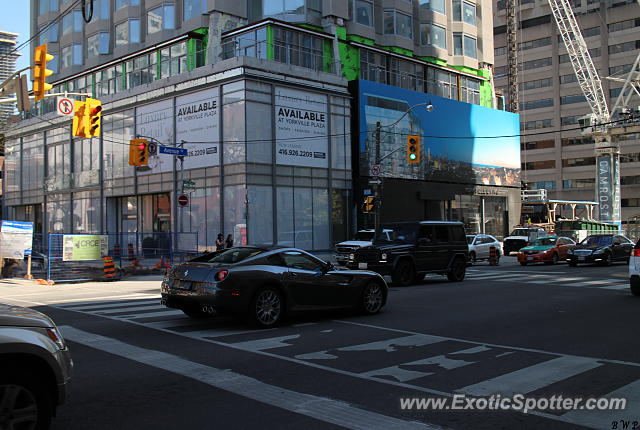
581	61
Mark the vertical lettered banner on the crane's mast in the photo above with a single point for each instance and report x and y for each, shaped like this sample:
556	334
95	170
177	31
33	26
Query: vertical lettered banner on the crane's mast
608	192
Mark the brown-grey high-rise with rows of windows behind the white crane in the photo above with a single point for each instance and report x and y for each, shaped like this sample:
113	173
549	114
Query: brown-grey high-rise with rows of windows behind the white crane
556	156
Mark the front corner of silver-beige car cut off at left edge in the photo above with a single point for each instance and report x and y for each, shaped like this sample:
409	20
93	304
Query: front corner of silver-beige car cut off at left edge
35	368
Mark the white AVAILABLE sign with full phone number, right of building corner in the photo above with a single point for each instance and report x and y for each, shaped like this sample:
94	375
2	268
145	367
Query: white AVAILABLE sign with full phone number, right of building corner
302	137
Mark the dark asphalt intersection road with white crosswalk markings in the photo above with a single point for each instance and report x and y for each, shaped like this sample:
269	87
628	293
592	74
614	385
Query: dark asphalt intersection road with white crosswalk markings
536	330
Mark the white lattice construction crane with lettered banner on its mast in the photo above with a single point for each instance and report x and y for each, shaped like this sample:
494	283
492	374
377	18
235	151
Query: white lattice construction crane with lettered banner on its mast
604	126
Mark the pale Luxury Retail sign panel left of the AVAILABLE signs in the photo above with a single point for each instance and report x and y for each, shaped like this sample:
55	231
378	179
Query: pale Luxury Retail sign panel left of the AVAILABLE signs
155	121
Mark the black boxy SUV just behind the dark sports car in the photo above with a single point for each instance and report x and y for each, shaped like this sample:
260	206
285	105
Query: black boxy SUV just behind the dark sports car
415	249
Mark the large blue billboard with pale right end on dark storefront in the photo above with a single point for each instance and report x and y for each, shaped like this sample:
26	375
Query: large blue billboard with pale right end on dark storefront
460	142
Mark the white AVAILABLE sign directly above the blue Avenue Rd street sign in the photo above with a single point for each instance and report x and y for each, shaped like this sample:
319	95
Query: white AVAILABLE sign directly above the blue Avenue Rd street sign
197	121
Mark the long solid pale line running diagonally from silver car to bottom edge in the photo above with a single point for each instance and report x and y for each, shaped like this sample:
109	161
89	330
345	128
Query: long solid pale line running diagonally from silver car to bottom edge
320	408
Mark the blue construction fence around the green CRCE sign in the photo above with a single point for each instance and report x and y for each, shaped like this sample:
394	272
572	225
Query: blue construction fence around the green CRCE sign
132	253
